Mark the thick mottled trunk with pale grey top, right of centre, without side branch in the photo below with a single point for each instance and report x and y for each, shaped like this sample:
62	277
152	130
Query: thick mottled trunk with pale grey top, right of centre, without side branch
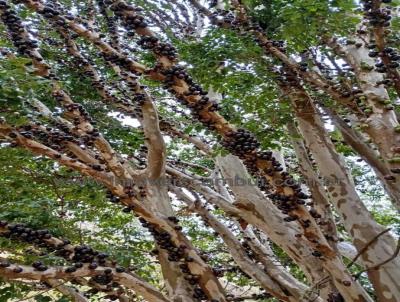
259	211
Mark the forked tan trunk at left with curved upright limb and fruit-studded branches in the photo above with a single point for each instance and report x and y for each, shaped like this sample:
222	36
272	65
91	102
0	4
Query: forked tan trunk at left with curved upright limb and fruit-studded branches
157	195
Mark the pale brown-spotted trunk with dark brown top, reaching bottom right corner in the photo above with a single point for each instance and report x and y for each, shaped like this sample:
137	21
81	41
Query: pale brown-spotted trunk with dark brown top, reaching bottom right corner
355	216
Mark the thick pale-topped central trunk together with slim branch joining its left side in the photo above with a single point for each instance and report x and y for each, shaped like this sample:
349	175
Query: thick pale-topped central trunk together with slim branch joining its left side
254	208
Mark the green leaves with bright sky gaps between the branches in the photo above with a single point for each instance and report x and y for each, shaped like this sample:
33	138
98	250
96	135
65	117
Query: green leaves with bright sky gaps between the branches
38	192
